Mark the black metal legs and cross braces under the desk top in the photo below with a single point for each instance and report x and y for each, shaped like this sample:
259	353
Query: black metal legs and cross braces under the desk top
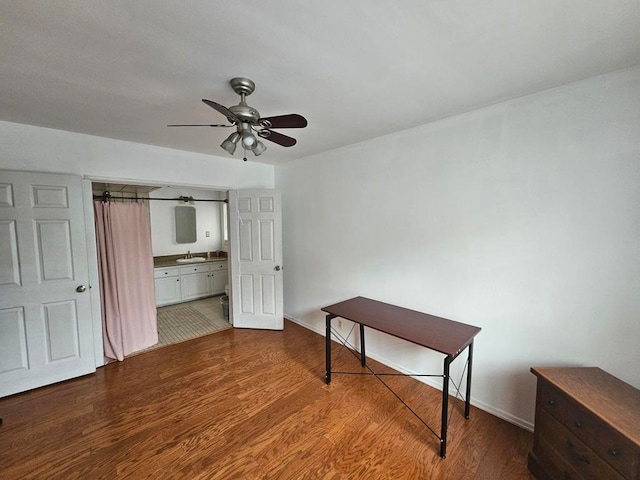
445	376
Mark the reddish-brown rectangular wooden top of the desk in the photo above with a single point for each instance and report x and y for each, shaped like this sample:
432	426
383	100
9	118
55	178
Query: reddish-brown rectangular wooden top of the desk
439	334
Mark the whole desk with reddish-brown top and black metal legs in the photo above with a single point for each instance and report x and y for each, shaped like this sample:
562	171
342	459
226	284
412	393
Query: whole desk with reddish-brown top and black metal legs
445	336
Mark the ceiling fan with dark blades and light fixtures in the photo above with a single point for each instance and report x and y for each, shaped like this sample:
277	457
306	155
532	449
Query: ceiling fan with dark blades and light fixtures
247	120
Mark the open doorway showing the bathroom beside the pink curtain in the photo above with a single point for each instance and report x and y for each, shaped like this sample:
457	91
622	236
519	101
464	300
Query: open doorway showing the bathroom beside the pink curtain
192	308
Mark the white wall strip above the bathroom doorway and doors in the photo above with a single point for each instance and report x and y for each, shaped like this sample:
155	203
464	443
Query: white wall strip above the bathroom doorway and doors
24	147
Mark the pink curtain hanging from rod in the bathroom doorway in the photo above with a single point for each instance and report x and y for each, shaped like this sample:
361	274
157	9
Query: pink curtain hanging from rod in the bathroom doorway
127	291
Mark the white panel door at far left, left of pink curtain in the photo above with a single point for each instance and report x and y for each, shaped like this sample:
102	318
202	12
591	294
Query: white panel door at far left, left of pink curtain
46	332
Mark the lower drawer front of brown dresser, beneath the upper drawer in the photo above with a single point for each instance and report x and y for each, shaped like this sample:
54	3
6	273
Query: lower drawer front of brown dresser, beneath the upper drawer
573	452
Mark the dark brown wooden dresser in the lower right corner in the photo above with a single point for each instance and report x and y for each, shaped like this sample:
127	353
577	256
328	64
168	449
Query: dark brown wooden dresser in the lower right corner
587	426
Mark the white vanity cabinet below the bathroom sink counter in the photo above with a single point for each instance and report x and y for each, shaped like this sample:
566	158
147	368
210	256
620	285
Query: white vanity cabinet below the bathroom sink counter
189	282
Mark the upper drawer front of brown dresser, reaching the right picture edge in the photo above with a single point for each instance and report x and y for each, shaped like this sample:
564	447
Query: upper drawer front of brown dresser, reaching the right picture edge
616	450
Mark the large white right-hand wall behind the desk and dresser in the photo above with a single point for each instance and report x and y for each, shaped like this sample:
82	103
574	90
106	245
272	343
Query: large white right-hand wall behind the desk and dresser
521	218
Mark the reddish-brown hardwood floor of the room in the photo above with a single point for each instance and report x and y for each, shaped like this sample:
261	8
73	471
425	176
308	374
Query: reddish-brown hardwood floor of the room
246	404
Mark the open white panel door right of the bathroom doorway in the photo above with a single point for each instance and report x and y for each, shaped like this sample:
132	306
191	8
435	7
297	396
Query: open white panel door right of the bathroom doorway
255	236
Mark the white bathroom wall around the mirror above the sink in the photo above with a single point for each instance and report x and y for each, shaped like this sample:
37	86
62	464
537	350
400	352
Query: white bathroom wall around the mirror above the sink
208	219
